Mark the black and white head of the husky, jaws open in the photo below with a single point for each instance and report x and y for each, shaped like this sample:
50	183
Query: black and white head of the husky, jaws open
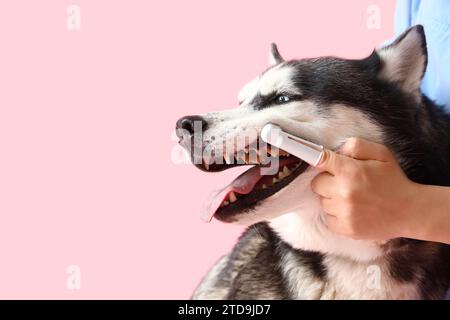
325	100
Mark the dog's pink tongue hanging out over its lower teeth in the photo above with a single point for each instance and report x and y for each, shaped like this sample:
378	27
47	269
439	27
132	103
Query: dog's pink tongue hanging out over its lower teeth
243	184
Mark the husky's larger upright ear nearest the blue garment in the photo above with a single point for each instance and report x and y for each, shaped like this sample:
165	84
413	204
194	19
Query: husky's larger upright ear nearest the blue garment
404	61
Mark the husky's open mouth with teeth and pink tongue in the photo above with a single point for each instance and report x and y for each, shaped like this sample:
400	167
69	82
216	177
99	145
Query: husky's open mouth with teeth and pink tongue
261	181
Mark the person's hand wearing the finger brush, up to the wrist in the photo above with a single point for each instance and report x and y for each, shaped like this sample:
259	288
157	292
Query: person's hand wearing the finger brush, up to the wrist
364	192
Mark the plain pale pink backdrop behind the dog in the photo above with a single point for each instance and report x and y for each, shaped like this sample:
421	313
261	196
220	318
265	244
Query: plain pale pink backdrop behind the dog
86	120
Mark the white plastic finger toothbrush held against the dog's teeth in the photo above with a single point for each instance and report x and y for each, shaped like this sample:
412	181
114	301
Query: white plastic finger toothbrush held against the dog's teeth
309	152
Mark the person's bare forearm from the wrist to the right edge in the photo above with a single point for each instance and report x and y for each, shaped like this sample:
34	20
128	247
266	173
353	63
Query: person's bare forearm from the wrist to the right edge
429	214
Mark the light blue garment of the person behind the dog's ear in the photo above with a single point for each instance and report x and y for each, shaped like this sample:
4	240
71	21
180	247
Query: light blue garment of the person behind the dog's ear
434	15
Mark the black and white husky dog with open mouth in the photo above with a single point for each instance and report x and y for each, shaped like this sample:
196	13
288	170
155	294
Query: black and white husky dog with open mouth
287	252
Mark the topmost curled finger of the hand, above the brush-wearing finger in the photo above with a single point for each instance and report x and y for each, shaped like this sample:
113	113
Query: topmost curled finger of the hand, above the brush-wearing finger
362	149
